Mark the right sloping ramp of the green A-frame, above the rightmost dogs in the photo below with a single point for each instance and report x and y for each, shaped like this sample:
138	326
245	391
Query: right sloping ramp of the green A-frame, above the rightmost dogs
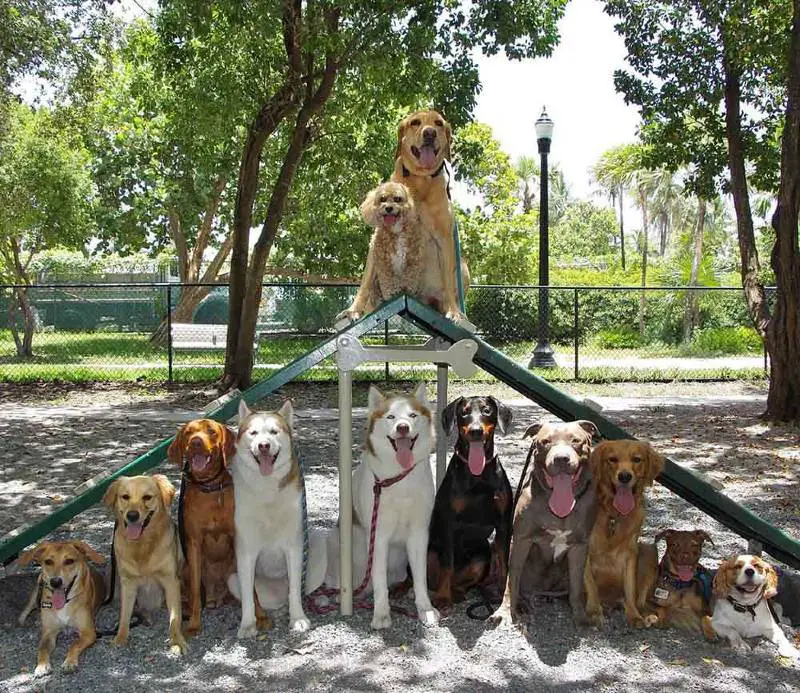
680	480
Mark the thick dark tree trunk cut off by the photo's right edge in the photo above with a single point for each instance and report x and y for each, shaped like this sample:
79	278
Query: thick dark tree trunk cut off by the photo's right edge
783	331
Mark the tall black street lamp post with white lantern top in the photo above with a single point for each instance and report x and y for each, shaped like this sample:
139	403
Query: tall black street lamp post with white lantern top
543	353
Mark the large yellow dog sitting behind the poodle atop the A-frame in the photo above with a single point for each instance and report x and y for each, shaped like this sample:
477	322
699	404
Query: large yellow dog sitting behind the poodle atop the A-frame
423	144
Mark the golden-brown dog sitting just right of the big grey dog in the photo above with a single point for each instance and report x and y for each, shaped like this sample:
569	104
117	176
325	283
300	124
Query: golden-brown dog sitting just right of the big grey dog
618	568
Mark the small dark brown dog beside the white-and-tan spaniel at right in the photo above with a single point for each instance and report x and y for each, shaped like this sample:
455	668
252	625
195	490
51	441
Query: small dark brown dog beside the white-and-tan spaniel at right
681	596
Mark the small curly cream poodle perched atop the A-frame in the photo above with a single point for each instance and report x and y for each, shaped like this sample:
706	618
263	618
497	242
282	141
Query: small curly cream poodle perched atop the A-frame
398	256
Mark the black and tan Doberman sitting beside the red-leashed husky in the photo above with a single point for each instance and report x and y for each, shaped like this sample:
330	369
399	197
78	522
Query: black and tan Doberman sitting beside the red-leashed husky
473	501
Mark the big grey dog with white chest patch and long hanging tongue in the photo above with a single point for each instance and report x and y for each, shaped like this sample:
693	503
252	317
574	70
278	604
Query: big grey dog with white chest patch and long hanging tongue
553	519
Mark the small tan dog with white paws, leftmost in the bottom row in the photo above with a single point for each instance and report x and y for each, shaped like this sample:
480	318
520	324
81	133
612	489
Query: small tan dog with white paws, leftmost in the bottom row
69	592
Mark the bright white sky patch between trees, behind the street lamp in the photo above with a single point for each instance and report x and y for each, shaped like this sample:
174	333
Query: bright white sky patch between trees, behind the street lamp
576	85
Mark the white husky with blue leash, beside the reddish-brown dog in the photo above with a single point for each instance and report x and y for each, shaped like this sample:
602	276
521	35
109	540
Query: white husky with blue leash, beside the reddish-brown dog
268	520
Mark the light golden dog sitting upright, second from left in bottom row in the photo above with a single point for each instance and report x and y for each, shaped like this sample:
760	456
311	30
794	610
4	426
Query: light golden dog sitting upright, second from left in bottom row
146	549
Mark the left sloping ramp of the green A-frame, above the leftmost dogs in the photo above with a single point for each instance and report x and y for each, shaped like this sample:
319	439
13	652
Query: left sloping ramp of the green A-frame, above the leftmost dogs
18	539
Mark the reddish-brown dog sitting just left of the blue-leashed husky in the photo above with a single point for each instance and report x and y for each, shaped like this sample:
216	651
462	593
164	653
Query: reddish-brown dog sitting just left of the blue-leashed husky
204	448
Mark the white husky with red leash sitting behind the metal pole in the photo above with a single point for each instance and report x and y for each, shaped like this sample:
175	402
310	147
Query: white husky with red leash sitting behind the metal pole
400	438
